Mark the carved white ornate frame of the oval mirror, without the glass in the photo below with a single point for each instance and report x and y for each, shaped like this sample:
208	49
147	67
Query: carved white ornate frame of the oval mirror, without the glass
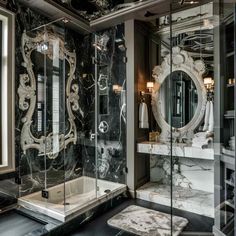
181	61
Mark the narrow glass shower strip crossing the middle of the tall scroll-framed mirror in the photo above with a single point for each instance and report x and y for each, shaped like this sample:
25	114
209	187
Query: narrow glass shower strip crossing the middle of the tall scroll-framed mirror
54	112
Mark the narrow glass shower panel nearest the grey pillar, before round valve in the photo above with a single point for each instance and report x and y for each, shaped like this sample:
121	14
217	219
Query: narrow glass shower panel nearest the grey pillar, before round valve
111	109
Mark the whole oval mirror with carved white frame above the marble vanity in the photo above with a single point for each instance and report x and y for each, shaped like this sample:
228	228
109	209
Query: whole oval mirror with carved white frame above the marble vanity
181	103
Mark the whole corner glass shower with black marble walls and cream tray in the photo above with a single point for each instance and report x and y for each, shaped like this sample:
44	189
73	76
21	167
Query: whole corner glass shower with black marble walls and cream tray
59	93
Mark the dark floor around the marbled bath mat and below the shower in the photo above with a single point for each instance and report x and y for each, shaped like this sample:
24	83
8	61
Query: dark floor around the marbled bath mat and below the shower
96	226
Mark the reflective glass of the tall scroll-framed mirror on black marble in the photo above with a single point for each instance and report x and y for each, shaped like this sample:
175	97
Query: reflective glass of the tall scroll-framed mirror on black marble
49	74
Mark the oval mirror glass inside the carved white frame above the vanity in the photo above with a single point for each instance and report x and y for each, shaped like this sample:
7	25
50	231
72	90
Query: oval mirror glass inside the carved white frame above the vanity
184	99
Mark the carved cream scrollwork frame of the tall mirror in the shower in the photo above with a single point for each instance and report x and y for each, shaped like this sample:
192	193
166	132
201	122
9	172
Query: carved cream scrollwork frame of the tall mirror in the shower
27	95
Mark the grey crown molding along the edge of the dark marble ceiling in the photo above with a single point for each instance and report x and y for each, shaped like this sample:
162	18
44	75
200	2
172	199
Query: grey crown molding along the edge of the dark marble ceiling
137	11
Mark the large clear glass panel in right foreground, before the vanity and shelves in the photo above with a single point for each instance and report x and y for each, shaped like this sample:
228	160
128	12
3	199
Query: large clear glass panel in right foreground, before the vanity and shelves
202	113
